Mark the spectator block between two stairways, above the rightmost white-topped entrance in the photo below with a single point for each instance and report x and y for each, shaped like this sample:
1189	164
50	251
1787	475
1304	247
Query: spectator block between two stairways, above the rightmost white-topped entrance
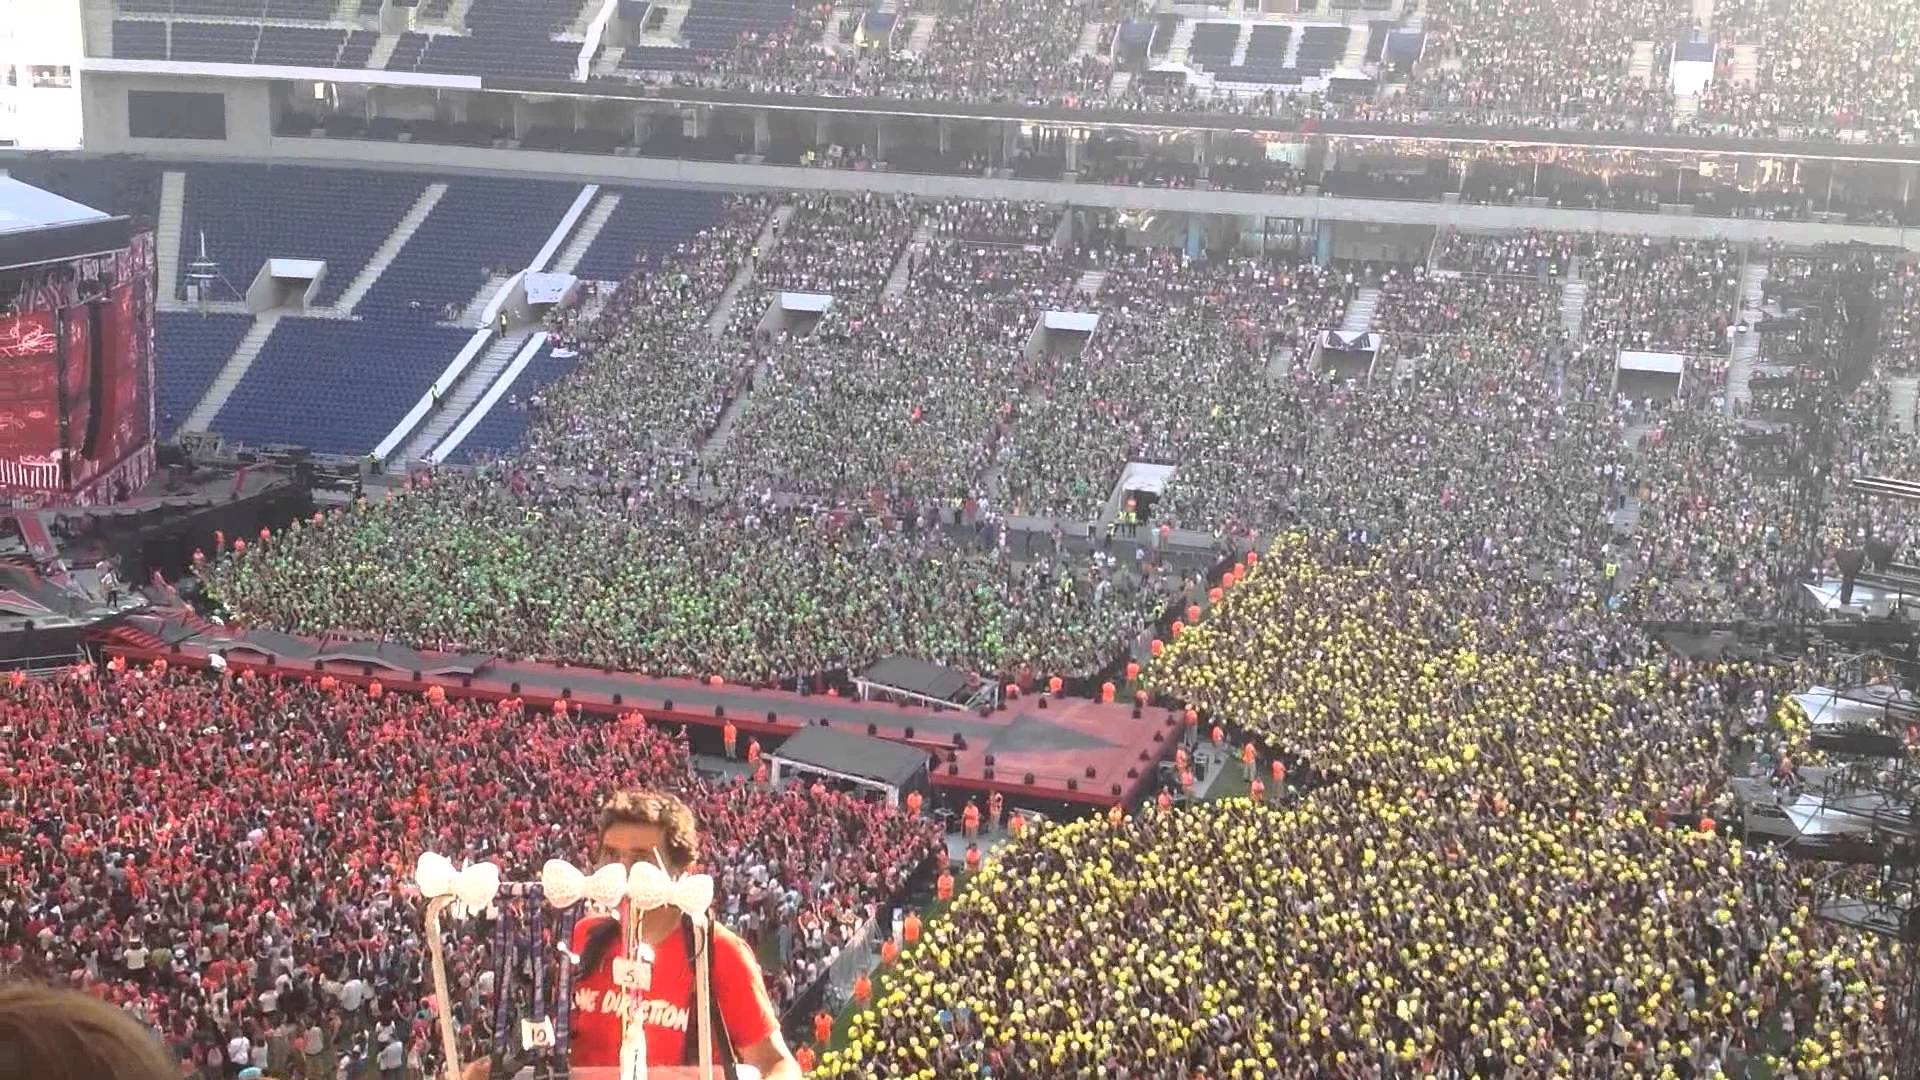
1662	295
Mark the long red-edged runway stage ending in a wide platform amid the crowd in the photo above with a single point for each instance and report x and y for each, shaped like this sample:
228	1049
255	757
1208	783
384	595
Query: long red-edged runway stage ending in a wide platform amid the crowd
1072	752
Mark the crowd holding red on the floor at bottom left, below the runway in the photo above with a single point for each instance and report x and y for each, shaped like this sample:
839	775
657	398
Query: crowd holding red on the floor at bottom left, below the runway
228	856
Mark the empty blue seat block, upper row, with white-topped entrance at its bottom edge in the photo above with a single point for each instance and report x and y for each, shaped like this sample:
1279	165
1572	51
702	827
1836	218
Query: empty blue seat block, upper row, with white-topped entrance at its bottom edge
258	212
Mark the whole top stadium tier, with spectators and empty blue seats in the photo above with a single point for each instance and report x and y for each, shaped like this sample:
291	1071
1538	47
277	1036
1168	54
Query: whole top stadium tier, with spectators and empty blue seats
1825	68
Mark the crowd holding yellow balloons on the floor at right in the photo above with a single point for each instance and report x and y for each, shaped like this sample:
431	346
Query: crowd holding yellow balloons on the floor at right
1497	856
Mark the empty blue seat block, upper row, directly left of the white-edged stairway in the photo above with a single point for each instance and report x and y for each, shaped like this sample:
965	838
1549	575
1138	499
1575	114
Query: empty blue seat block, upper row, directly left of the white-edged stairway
477	226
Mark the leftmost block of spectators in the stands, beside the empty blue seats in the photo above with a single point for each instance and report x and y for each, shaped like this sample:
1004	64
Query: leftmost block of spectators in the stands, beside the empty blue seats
652	381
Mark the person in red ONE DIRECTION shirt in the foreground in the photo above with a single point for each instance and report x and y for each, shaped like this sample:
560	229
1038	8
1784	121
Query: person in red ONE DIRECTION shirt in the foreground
654	825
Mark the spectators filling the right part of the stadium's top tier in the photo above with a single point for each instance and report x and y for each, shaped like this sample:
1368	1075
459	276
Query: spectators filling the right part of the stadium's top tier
1510	62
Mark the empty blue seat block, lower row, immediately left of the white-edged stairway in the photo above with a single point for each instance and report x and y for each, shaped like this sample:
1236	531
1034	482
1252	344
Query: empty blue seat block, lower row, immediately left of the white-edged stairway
337	387
